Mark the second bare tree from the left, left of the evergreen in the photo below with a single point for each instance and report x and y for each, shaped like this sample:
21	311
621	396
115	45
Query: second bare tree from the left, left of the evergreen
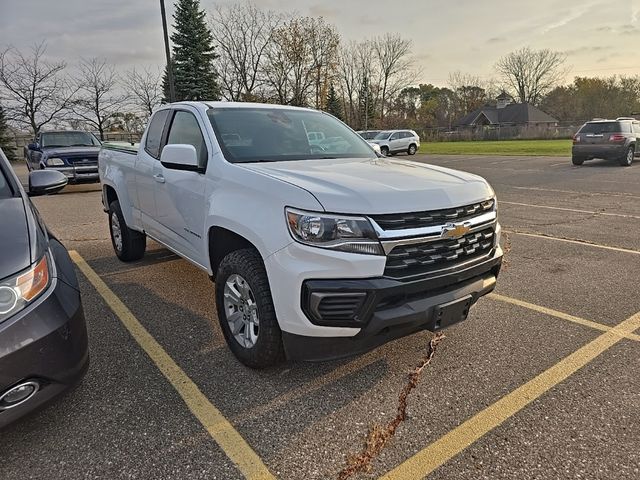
97	99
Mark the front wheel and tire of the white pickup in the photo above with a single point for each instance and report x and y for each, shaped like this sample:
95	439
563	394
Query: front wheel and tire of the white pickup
245	310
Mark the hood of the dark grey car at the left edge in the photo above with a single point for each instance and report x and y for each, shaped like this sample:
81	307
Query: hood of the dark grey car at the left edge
14	237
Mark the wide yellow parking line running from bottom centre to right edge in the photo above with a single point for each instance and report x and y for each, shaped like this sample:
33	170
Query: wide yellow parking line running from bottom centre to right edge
461	437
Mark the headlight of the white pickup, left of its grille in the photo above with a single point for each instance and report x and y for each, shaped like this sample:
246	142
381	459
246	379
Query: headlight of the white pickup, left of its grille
334	232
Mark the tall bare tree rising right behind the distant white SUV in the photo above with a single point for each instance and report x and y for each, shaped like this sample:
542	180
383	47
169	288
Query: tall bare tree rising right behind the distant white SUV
392	53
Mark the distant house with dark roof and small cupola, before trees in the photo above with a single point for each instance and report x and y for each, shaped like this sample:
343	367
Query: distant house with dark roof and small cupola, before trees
507	113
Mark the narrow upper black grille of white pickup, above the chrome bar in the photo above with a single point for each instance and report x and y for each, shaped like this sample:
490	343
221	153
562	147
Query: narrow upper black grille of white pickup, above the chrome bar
402	221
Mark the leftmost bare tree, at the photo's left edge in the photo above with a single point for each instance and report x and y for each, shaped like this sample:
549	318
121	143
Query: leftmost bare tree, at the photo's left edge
34	90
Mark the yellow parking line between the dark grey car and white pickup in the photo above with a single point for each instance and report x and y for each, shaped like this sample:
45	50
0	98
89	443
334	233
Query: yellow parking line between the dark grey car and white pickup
220	429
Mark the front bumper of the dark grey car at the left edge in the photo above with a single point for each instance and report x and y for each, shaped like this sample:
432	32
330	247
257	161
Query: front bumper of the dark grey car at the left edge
47	341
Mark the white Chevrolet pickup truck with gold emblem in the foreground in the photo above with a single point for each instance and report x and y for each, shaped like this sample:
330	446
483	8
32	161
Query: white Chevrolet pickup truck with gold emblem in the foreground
317	251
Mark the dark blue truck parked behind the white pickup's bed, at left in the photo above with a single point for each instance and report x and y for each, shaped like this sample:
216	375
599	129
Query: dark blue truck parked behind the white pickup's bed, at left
71	152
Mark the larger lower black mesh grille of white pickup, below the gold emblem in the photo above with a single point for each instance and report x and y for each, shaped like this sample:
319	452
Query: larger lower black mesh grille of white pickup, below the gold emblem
424	258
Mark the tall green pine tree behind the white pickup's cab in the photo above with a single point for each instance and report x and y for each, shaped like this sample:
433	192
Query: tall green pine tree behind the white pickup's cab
194	74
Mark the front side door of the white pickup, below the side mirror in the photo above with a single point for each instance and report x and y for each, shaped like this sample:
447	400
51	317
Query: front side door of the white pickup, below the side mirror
181	205
